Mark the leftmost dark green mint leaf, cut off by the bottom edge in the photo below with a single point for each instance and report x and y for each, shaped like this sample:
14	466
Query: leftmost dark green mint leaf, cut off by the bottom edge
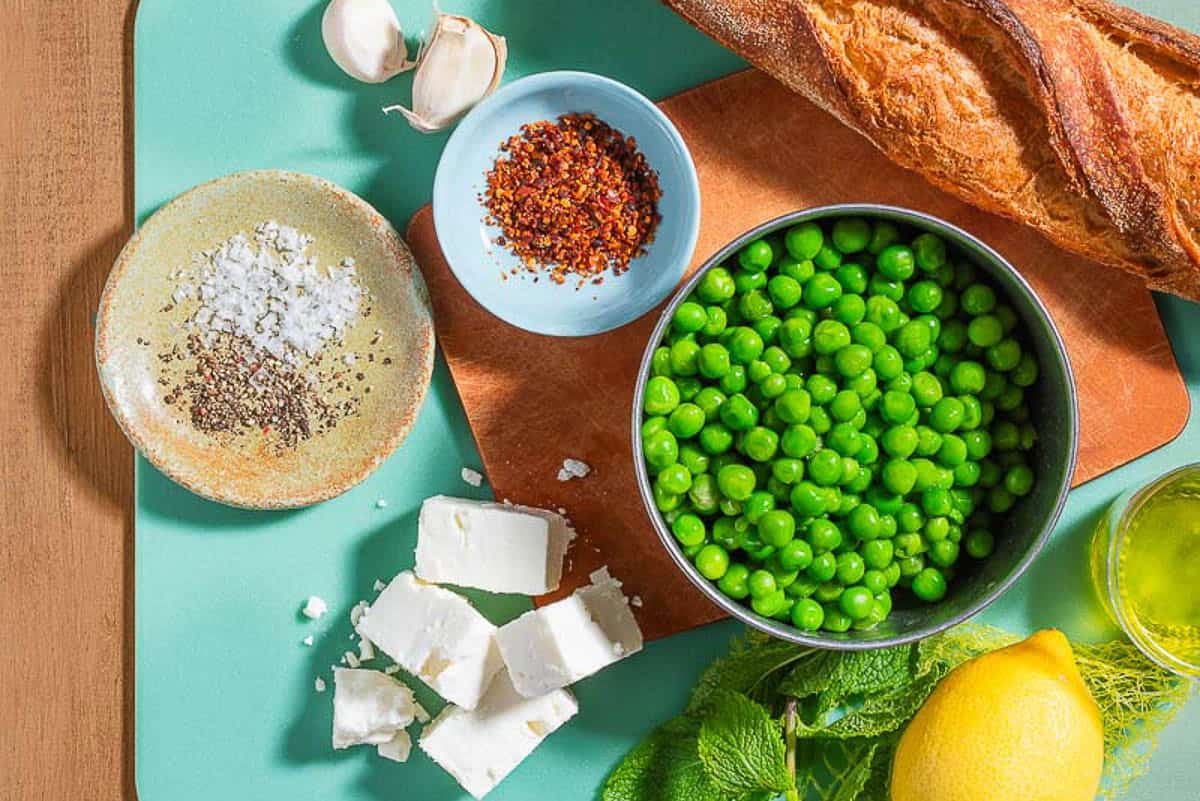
664	767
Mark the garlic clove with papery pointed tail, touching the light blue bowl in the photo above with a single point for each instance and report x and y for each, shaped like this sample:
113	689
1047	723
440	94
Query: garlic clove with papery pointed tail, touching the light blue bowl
460	65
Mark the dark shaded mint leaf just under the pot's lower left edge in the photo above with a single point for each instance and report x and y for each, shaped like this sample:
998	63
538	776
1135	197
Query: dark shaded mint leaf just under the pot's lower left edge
753	668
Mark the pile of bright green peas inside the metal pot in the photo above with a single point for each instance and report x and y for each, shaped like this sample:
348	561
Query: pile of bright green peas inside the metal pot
835	417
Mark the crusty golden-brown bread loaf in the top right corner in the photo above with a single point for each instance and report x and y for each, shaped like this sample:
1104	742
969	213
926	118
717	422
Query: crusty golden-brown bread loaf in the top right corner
1076	117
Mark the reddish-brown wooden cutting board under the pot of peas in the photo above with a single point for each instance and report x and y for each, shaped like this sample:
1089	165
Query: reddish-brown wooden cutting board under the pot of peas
761	152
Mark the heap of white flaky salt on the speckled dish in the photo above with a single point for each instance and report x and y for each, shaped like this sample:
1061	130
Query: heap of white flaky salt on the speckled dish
272	293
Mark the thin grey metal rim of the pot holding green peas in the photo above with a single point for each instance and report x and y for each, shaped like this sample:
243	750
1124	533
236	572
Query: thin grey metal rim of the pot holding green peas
777	629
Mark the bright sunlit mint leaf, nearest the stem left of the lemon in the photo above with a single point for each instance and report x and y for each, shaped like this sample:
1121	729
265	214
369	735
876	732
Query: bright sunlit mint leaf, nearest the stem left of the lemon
742	746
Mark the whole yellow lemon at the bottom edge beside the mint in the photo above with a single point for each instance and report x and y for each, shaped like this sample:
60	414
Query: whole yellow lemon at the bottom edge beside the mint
1015	725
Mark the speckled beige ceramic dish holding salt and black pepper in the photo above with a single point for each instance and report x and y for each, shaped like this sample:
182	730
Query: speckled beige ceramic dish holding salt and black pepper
136	324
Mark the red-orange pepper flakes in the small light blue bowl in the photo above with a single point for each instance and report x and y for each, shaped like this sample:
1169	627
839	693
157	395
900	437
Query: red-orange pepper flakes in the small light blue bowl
575	198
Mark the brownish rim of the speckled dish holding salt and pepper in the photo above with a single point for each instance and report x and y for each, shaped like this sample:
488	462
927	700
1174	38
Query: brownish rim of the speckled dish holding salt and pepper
218	491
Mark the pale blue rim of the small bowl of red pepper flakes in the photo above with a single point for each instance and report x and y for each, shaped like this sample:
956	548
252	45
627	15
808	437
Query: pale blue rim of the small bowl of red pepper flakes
568	79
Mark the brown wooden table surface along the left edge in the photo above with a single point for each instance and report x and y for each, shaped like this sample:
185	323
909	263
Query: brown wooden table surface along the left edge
67	551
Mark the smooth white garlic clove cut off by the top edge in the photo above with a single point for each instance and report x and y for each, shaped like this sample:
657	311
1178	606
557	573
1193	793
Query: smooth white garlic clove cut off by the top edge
364	39
